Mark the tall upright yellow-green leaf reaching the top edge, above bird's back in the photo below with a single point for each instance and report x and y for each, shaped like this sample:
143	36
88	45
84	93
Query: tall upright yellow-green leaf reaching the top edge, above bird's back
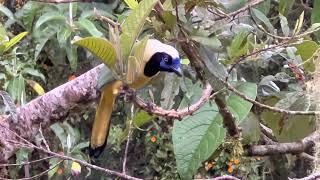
133	24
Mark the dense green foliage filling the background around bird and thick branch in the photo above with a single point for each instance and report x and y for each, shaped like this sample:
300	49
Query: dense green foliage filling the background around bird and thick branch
250	80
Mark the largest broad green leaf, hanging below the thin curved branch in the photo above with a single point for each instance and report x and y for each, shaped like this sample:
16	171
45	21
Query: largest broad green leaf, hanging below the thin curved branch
195	138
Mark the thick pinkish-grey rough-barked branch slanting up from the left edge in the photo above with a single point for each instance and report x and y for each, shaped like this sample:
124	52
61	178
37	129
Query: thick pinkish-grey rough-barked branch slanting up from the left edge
45	110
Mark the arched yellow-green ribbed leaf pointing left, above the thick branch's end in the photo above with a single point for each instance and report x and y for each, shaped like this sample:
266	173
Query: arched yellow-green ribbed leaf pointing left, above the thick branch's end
100	47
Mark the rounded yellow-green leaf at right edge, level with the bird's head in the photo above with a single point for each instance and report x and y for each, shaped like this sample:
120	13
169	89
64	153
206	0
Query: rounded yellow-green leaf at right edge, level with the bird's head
307	49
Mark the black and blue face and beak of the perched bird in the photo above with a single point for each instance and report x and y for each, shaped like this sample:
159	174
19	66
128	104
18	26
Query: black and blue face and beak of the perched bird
162	61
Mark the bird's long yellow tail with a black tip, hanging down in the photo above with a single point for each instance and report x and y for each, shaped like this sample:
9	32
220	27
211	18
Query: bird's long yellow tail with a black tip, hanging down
101	124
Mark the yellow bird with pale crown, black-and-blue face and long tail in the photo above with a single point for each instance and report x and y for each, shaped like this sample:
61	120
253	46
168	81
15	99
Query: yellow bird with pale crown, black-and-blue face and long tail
156	57
